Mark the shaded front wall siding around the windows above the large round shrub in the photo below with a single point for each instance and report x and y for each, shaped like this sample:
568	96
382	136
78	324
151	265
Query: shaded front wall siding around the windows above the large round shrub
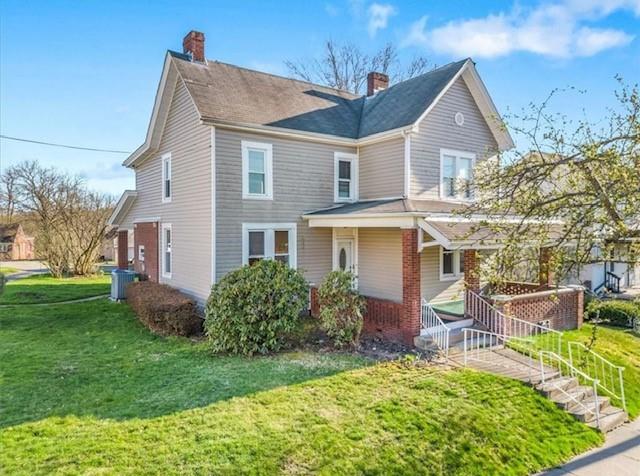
303	176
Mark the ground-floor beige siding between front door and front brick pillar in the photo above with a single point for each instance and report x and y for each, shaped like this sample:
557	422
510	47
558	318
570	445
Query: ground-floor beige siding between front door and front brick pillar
380	263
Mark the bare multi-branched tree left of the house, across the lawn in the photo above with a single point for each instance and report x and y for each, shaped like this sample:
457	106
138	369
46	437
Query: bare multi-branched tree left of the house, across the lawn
70	220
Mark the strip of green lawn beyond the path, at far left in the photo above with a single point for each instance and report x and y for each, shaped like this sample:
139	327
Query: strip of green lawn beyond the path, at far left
44	289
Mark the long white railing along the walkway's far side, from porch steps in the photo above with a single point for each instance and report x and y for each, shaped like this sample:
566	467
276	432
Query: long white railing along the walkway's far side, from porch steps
542	337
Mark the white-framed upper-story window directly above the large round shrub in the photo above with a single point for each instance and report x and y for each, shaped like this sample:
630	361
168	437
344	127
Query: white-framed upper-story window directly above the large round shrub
257	170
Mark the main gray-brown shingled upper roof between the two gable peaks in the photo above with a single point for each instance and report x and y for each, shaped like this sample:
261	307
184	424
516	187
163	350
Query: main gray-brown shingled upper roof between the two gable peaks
233	94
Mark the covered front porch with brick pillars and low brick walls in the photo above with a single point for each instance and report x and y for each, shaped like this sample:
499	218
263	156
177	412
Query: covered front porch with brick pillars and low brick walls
416	274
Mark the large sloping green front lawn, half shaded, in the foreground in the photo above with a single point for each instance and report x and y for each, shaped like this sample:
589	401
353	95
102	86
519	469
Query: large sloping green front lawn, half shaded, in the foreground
86	389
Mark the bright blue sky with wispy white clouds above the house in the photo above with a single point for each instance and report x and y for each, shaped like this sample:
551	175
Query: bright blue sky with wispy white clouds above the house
85	73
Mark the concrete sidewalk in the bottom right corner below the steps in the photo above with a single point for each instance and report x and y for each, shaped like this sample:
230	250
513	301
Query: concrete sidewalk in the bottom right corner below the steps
619	456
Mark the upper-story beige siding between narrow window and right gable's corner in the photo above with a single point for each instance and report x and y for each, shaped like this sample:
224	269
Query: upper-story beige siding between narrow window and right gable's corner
382	169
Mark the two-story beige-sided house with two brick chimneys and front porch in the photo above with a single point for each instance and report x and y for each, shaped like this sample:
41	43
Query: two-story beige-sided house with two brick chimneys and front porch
240	165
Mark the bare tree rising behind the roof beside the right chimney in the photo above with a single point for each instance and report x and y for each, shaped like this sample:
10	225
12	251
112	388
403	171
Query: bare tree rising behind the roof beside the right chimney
345	66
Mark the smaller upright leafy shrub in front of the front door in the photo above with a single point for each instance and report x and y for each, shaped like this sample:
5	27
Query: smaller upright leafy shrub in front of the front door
341	308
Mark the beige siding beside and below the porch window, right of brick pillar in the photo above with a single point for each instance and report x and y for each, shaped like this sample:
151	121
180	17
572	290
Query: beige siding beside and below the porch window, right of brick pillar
434	290
